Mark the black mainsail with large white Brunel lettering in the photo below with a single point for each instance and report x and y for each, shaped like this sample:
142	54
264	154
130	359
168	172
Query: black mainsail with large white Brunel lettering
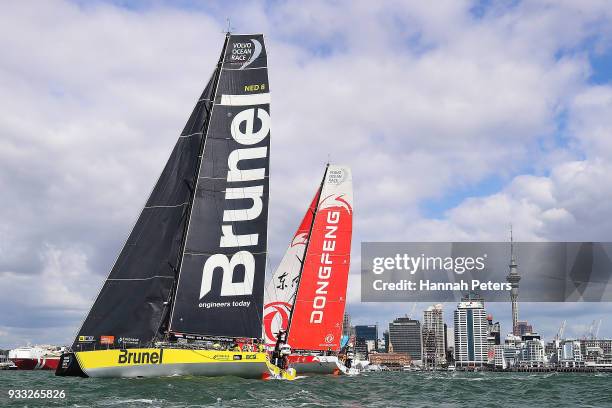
221	281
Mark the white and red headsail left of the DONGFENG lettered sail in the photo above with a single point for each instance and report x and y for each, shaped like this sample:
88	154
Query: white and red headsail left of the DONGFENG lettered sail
280	291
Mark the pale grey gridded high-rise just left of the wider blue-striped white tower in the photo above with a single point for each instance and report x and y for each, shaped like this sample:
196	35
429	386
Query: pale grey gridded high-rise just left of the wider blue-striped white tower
434	342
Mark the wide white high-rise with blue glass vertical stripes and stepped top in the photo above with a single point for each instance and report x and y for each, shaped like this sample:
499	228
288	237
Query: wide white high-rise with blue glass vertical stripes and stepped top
471	332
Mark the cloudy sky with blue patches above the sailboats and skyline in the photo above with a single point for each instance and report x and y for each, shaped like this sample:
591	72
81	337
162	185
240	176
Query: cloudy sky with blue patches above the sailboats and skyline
458	118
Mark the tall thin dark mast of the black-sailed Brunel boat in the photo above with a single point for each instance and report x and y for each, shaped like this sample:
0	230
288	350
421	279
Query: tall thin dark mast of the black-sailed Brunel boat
169	305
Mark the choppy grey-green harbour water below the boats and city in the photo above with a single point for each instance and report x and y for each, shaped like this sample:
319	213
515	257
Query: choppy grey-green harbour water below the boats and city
387	389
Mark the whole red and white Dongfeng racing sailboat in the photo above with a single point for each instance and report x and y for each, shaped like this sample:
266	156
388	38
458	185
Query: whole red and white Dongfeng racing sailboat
306	295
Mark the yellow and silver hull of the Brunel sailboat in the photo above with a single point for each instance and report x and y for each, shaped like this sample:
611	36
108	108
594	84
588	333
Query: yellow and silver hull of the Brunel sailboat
158	362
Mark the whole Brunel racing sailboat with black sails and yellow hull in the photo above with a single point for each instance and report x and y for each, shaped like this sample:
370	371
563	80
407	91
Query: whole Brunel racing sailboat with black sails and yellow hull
185	295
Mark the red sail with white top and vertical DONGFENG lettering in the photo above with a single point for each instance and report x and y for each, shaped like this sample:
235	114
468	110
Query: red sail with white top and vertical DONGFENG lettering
316	319
